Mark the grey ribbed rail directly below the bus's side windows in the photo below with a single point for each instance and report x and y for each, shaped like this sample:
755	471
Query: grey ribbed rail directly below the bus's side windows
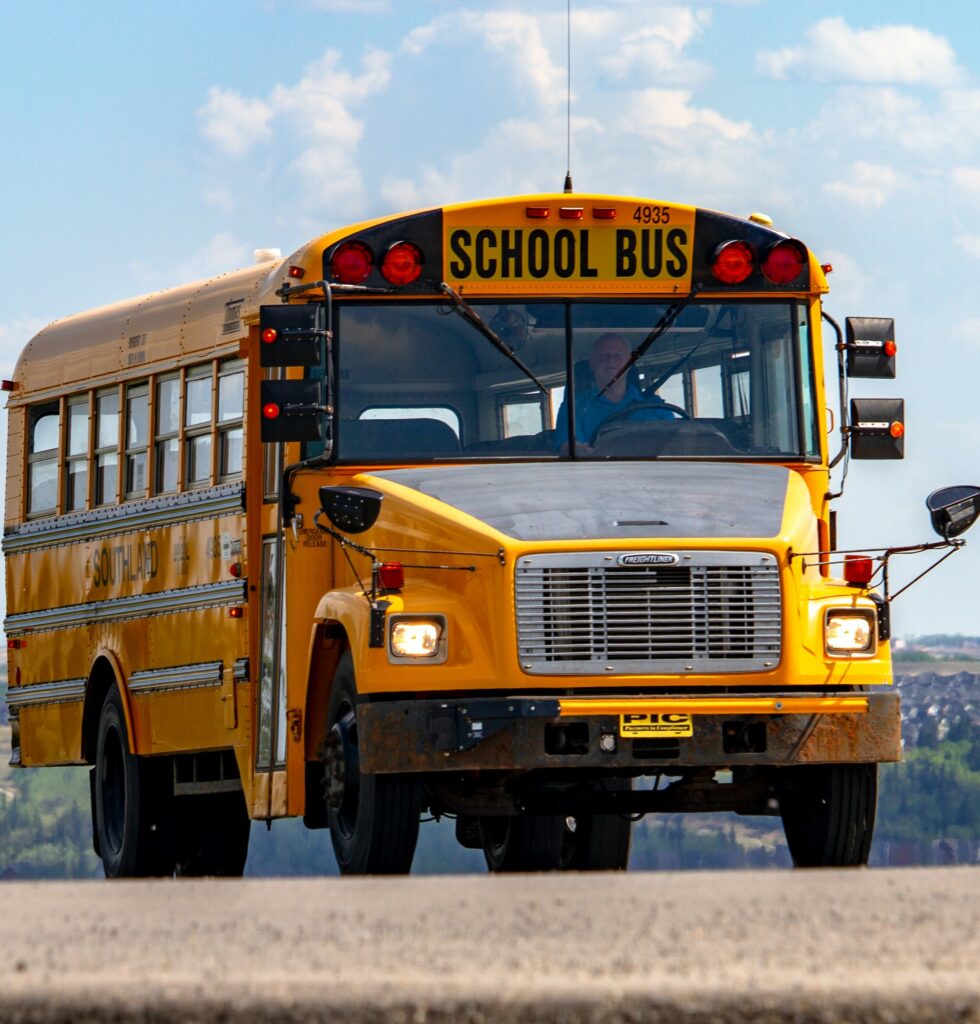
135	517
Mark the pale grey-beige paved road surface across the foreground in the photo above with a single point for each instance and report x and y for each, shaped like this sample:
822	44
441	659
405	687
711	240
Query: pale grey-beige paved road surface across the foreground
822	947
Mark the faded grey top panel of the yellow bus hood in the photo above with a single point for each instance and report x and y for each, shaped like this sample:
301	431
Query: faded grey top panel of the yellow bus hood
581	501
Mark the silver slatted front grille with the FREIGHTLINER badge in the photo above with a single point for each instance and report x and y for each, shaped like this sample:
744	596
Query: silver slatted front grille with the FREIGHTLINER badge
583	614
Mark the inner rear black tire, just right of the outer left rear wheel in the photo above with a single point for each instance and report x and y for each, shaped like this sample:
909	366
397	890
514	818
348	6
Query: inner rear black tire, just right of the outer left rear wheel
212	836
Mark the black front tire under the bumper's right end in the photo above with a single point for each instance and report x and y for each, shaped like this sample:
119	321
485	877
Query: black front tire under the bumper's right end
828	814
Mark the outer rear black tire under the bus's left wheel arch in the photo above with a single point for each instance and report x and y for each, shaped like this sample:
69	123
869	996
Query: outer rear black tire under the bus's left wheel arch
134	801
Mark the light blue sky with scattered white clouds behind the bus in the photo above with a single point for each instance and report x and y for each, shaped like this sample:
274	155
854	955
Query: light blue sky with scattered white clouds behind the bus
150	145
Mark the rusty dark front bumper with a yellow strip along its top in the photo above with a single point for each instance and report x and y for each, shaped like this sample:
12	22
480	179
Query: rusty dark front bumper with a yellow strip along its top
528	733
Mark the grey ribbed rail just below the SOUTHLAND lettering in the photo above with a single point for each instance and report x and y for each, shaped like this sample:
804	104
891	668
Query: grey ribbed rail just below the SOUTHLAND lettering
137	607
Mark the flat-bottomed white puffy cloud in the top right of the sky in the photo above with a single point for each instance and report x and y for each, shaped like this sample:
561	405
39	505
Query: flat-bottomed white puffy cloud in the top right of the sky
891	54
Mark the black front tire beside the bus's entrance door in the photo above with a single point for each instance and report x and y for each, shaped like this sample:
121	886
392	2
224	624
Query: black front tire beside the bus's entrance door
373	820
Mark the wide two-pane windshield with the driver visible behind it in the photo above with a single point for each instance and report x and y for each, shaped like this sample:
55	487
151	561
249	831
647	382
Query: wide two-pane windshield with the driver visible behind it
723	380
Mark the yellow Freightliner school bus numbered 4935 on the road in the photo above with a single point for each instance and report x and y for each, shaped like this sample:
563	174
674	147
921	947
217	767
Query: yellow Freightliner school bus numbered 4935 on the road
515	511
